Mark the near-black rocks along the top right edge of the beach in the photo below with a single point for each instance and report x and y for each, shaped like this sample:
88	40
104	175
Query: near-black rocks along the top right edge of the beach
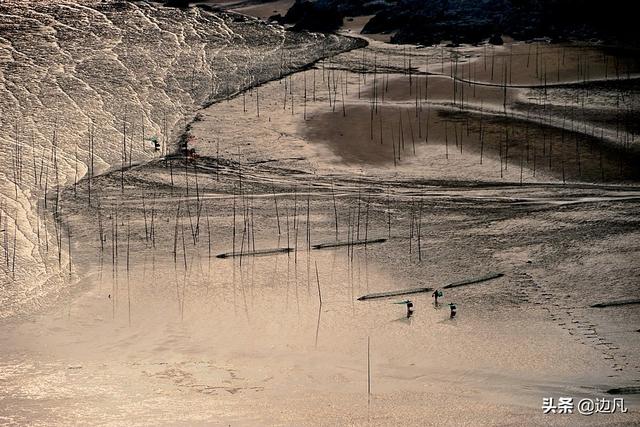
473	21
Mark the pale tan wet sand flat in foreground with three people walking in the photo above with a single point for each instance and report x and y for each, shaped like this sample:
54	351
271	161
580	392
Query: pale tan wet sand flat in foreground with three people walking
246	341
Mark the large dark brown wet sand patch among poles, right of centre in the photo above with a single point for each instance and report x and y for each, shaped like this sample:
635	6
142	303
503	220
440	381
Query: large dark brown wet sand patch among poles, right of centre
568	156
